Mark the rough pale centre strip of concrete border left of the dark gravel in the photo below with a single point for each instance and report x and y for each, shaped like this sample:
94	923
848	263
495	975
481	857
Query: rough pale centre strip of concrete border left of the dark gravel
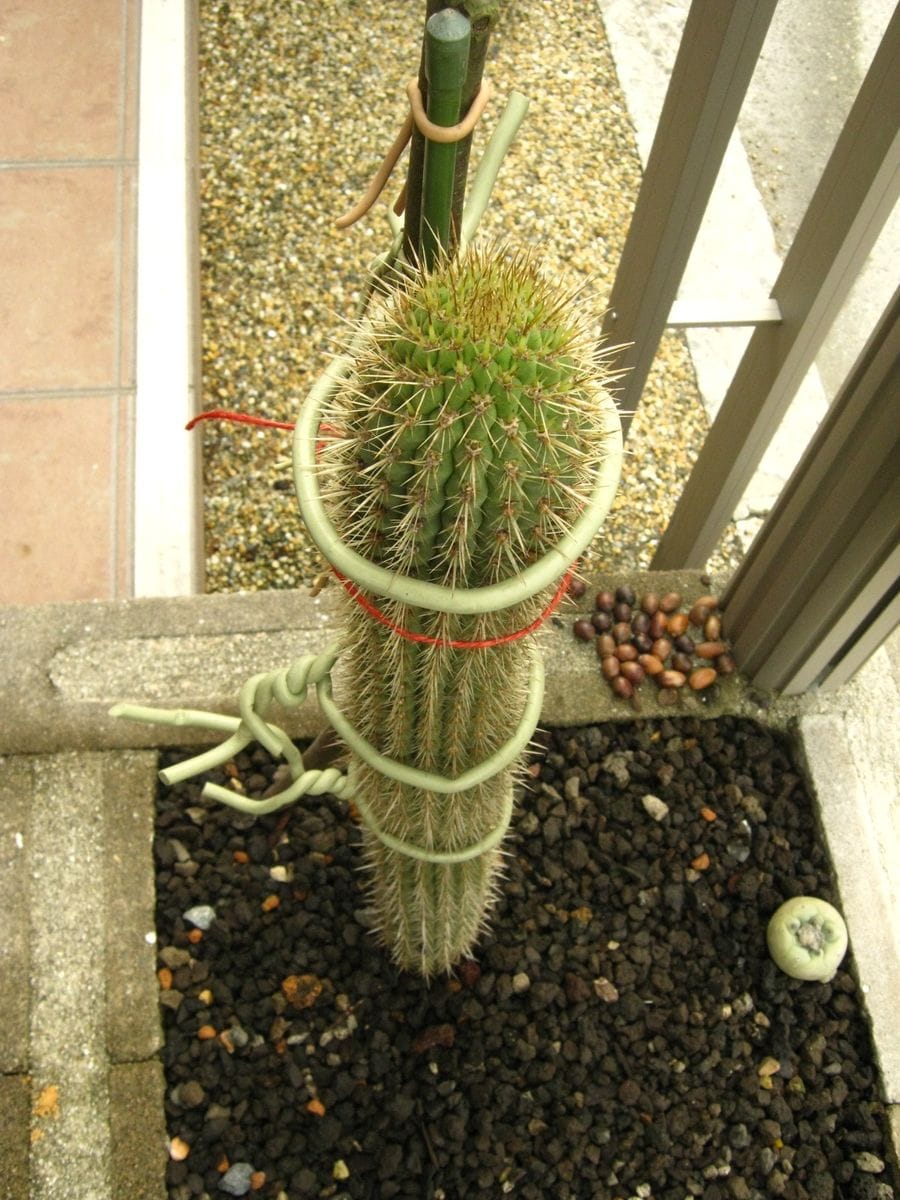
70	1153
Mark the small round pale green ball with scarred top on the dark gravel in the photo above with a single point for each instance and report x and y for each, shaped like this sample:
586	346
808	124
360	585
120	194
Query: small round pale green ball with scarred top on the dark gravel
808	939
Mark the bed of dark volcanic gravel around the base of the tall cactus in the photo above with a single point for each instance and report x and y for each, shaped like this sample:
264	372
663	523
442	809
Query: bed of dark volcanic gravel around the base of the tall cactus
622	1034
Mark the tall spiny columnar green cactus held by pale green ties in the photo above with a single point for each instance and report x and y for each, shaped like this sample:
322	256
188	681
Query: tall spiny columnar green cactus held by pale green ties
469	440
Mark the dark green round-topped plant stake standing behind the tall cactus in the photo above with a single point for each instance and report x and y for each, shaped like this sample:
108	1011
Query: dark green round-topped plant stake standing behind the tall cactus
447	55
